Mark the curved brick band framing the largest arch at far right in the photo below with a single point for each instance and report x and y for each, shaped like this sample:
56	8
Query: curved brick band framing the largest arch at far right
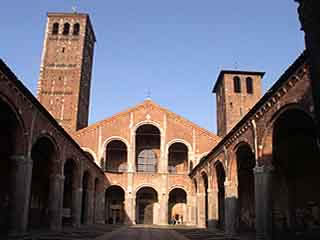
265	148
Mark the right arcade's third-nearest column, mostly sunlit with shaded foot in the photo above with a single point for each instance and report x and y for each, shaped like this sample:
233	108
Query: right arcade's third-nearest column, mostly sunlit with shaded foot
212	209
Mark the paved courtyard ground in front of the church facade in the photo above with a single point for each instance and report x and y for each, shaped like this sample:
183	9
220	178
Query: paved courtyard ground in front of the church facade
137	232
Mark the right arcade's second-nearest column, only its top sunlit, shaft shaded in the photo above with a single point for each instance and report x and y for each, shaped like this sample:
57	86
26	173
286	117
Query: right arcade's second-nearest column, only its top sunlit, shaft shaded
231	208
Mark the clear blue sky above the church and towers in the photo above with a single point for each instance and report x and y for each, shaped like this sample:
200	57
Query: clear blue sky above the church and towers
174	47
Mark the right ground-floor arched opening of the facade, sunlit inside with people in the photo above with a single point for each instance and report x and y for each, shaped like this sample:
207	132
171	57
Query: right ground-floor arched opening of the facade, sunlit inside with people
177	206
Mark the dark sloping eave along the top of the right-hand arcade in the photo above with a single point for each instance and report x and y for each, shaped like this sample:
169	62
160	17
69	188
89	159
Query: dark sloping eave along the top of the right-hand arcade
284	77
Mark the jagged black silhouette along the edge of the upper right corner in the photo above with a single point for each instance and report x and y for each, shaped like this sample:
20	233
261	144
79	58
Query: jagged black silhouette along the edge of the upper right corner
309	17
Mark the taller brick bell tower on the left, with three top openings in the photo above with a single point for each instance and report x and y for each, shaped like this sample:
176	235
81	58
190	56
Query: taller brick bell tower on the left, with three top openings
66	66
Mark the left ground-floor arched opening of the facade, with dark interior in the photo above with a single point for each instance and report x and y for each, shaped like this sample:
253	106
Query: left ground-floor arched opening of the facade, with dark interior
114	205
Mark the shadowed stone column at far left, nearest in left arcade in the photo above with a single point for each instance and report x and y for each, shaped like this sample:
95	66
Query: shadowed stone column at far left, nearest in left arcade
21	186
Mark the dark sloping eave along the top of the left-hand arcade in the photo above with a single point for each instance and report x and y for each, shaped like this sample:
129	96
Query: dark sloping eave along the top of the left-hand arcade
9	74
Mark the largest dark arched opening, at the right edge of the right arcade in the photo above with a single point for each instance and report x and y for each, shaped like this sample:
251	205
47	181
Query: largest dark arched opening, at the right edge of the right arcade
295	160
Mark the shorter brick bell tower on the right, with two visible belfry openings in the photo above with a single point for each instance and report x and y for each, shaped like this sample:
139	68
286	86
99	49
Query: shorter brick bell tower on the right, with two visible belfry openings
236	93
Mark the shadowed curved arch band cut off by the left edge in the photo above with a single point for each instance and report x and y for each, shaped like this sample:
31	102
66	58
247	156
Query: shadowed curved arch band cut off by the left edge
20	148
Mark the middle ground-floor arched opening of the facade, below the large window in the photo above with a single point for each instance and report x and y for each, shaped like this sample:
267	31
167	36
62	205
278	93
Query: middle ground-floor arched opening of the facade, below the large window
147	206
